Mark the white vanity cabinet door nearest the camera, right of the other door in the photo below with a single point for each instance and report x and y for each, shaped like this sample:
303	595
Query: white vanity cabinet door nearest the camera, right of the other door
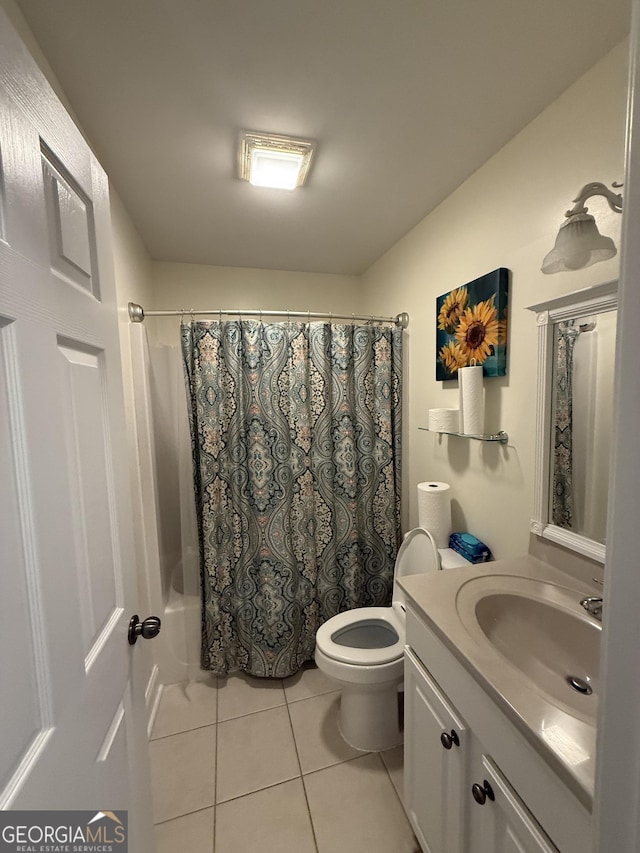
502	824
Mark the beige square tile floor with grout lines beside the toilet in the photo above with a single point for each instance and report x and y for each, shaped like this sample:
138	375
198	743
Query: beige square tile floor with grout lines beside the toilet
252	766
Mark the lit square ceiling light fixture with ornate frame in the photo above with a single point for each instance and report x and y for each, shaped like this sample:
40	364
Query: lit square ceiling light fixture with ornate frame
280	162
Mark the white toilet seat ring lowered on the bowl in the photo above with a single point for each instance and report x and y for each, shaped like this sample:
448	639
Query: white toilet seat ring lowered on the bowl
344	637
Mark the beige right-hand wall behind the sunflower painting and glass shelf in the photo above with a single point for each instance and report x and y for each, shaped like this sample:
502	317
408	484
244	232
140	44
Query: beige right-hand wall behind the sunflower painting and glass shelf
506	214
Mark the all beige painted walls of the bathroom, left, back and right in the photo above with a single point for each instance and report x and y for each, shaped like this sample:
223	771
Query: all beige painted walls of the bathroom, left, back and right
506	214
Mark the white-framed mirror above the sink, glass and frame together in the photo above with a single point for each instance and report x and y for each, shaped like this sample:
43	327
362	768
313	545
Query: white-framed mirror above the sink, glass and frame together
576	362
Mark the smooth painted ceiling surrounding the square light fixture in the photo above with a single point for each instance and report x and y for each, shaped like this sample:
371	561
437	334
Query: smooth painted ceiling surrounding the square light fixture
406	99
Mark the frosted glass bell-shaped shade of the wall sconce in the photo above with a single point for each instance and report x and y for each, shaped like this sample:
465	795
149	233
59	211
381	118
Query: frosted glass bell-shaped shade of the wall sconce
578	244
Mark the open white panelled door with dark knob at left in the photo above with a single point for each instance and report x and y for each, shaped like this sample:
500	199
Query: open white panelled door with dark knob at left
70	735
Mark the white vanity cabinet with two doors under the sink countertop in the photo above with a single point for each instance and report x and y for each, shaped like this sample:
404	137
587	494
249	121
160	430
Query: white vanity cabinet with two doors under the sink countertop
459	751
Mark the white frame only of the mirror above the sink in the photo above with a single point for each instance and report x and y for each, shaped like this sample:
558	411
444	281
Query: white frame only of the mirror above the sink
580	303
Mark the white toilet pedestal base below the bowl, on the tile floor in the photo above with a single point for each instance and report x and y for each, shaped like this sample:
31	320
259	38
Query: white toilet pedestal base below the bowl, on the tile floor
370	716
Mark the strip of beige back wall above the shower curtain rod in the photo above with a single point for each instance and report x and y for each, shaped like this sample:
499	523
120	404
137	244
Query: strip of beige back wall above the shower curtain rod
198	286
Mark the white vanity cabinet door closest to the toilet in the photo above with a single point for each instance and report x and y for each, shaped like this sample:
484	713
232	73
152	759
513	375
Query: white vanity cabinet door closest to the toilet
434	775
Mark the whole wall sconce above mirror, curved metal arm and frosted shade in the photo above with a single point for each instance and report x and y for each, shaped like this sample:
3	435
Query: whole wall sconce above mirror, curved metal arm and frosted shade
579	243
